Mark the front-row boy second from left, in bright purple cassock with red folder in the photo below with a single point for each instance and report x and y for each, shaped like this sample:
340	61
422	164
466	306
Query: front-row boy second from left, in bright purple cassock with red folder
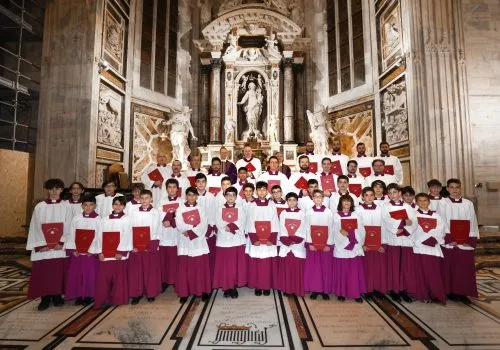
83	266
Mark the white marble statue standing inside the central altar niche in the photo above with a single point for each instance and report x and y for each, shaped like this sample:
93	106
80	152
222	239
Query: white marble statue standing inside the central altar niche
253	101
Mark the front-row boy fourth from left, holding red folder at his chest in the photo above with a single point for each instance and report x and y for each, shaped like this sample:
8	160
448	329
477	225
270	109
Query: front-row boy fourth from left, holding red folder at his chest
144	266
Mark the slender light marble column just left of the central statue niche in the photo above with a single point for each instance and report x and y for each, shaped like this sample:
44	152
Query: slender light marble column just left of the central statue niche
215	105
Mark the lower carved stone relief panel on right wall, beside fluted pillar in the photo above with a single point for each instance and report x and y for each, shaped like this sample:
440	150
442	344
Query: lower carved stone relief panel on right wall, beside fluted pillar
394	113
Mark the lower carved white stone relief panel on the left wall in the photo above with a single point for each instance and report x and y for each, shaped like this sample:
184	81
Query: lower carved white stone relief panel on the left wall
109	118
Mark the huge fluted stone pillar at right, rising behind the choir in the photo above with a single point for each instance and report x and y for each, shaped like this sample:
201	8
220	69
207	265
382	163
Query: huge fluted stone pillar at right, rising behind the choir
440	138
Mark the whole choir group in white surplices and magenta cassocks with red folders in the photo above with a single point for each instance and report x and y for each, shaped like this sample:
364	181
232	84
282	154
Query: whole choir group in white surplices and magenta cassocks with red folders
347	229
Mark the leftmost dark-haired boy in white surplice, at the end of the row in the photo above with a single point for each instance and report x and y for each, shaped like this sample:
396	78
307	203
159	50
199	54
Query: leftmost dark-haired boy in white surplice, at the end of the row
48	230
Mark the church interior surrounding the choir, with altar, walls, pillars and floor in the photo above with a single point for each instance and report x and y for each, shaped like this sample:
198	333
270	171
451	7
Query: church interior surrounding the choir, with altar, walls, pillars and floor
95	90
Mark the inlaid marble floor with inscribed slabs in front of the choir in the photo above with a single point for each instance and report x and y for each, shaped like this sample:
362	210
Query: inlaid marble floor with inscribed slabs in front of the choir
249	322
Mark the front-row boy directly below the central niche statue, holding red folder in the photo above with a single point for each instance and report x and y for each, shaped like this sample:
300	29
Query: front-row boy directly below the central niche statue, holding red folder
262	228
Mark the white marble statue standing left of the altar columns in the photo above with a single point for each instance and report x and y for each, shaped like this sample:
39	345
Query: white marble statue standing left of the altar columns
179	132
